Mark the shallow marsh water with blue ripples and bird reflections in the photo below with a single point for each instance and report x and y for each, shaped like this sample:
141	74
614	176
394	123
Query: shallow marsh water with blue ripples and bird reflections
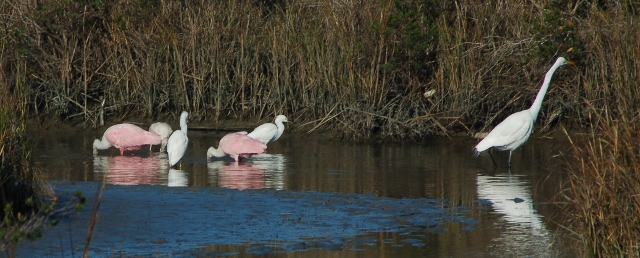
308	195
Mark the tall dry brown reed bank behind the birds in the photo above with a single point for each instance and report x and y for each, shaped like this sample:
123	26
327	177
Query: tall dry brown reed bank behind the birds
361	67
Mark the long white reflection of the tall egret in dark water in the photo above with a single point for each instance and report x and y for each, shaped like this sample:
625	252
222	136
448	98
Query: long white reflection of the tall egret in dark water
510	196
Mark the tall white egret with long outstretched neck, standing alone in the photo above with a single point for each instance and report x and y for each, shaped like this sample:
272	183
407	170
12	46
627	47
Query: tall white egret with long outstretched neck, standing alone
516	128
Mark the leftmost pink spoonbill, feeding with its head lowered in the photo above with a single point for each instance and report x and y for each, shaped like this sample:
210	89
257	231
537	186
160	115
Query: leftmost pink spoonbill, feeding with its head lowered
125	137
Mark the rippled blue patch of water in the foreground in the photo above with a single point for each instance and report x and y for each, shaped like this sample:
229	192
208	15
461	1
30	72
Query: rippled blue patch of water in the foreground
147	219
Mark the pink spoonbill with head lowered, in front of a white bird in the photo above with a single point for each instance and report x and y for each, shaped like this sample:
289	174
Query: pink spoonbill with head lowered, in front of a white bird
237	145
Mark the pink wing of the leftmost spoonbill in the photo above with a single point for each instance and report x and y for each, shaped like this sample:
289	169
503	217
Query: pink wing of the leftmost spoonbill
131	136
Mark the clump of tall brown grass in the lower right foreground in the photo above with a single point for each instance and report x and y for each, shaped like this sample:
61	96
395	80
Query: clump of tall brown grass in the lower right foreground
604	190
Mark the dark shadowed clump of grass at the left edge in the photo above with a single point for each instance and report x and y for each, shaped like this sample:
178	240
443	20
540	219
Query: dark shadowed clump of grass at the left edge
27	201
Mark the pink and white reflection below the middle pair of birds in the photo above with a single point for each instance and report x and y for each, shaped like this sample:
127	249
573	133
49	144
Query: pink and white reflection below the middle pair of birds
263	171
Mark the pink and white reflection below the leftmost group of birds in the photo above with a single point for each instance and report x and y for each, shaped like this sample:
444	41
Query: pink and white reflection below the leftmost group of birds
136	170
